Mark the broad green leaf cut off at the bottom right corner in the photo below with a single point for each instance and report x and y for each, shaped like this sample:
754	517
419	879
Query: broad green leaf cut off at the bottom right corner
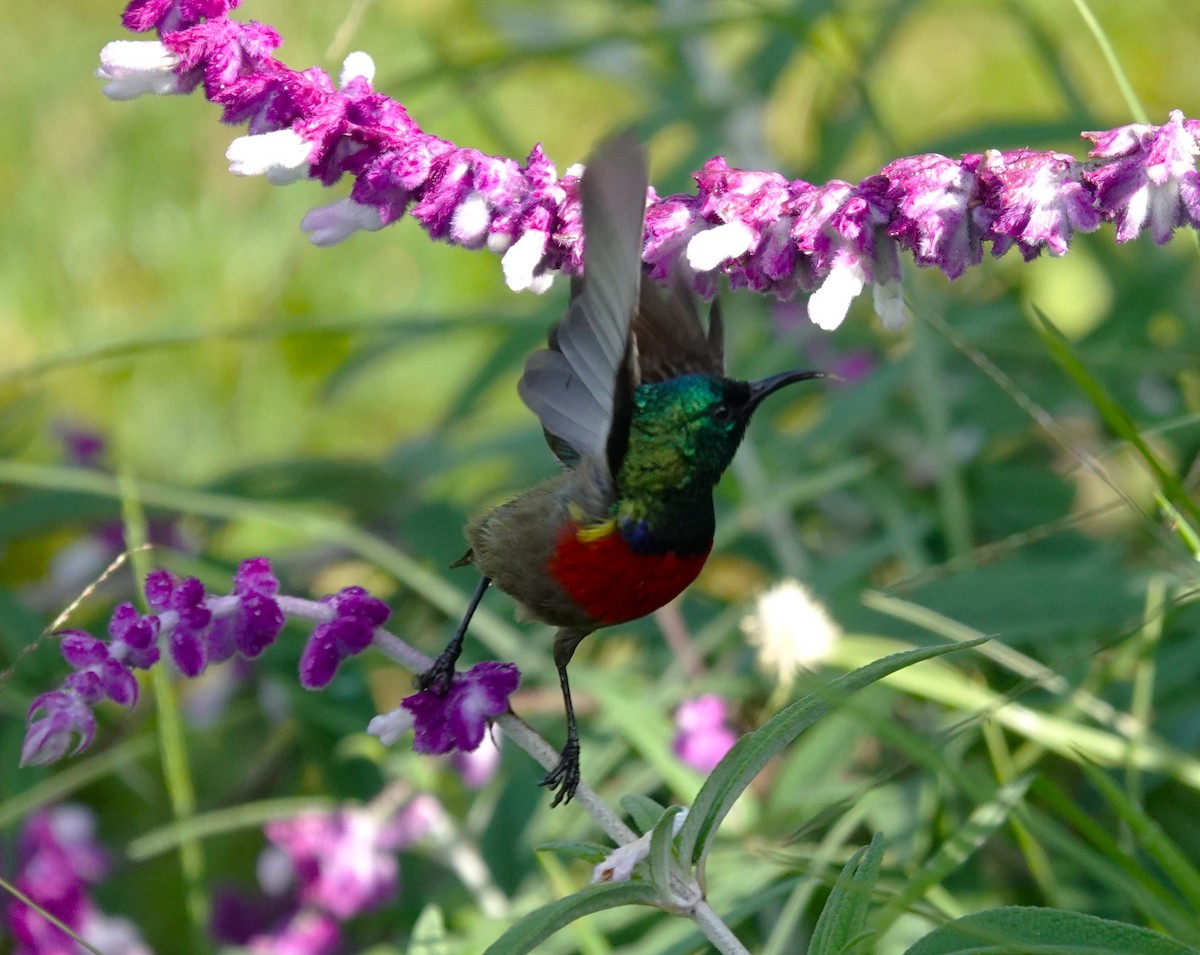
1045	932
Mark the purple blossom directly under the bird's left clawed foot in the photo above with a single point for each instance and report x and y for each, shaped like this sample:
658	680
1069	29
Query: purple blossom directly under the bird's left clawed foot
458	720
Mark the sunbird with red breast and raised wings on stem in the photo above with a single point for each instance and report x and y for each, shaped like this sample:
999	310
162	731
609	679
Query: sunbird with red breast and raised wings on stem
634	401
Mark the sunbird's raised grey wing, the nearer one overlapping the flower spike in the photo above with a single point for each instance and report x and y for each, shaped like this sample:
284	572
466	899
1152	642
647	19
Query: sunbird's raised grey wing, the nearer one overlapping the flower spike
581	386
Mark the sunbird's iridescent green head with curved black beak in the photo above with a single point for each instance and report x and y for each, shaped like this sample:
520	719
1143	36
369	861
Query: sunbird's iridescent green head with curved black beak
686	431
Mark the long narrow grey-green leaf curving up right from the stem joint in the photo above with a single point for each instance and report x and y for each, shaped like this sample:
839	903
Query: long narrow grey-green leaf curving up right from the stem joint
751	754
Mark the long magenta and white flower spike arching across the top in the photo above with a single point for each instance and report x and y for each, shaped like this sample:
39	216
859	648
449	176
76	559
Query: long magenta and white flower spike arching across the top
760	230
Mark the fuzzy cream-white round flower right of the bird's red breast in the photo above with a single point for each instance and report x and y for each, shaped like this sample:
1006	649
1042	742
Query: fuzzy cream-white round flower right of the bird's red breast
791	630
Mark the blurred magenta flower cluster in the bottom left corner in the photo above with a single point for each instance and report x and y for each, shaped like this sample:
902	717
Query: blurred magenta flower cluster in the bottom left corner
58	864
